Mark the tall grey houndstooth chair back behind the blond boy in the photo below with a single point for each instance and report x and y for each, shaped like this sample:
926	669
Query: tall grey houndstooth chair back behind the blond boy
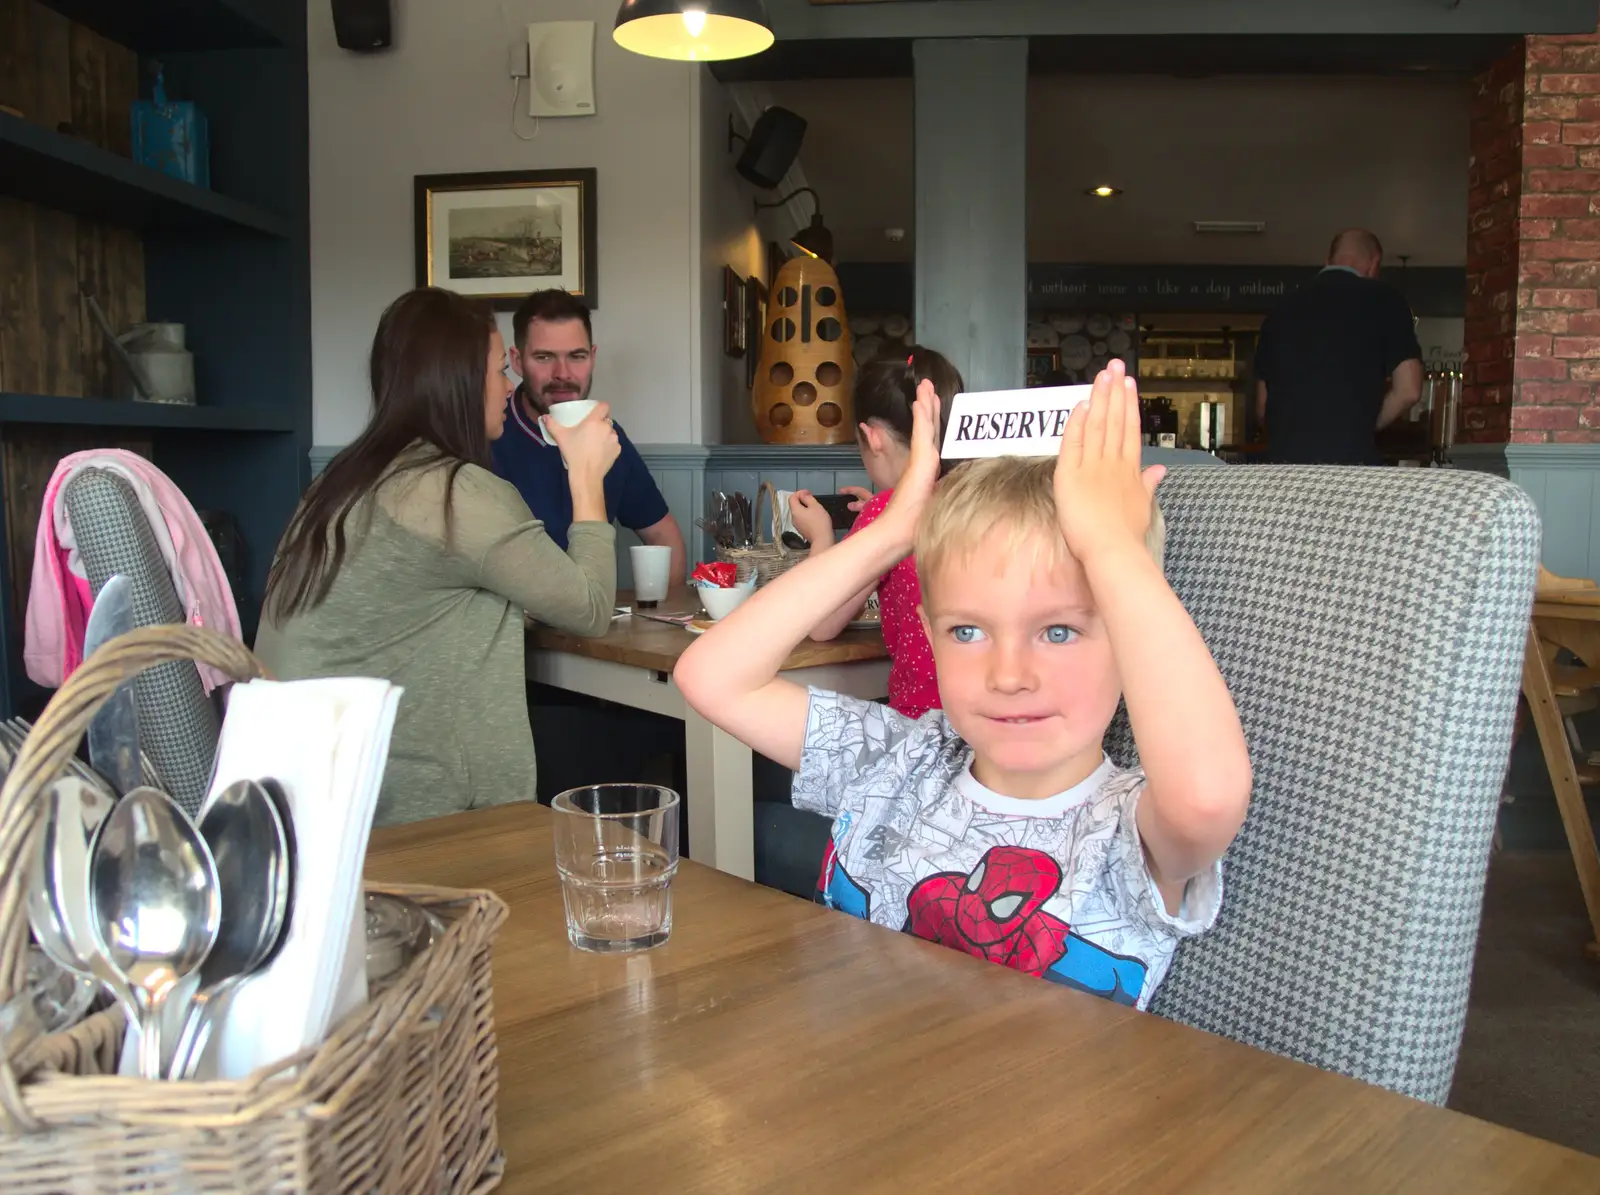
1370	625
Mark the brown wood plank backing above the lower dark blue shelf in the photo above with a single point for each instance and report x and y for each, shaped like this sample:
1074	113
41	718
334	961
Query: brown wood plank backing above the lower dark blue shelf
73	81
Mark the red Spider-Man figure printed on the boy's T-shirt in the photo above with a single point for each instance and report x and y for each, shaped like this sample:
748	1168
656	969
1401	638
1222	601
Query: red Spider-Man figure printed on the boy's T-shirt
996	913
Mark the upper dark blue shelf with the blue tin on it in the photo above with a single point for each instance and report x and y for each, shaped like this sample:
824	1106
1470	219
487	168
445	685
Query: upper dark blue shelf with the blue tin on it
70	175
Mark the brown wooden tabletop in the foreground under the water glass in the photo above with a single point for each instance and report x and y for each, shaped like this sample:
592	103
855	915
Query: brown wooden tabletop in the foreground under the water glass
778	1047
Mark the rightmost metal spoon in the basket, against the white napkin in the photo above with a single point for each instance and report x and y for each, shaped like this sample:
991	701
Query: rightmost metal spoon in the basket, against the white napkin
250	844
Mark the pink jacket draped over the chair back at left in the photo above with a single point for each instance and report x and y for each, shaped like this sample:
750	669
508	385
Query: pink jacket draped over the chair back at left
60	601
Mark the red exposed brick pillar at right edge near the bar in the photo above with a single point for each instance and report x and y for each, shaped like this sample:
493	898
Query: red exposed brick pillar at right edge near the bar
1534	247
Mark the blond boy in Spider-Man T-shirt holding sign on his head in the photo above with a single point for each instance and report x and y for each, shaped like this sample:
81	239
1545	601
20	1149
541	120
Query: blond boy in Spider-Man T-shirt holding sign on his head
998	825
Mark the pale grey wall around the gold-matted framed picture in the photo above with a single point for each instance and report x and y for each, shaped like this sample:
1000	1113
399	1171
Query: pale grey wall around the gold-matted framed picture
439	102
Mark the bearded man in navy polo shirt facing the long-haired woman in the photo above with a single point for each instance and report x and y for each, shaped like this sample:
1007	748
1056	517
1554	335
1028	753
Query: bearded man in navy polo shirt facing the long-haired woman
556	356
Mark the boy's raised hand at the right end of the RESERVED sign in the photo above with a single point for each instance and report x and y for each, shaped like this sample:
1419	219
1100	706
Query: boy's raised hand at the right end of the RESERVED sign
1103	502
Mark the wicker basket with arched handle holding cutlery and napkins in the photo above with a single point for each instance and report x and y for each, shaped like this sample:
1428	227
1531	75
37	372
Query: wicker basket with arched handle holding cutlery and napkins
399	1098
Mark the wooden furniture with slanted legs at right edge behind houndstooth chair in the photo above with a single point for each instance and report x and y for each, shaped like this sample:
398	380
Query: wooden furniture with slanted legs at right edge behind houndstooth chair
1566	617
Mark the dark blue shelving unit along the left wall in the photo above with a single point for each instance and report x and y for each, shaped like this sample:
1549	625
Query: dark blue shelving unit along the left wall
230	263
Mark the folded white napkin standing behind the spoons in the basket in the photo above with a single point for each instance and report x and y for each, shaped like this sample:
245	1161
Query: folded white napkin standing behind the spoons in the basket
326	741
